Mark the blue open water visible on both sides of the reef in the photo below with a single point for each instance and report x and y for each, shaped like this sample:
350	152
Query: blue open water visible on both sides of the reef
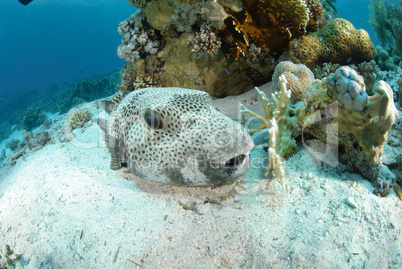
47	43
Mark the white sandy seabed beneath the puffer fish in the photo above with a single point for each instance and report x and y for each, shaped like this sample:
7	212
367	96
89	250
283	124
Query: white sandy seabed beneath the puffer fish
61	207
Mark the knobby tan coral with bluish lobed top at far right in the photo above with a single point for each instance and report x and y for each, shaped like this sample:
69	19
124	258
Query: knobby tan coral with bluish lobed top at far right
368	118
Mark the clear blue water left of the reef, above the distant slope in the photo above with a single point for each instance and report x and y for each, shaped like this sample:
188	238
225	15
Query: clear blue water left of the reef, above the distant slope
48	41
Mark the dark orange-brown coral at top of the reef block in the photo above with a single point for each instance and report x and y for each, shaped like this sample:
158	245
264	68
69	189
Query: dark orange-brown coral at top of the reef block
268	24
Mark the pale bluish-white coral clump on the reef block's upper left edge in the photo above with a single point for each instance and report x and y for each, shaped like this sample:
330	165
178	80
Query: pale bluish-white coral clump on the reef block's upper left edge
139	39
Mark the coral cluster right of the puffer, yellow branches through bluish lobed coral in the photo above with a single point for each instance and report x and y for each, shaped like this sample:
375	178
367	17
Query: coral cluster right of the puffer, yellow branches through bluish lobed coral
338	111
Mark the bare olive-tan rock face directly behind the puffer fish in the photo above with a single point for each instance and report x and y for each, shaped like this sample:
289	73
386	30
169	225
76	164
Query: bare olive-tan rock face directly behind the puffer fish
218	75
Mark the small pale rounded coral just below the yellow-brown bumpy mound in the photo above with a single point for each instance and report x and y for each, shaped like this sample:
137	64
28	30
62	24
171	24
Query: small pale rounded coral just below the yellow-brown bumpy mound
298	77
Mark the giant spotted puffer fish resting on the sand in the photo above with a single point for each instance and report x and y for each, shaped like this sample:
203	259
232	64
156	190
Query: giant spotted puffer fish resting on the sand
175	136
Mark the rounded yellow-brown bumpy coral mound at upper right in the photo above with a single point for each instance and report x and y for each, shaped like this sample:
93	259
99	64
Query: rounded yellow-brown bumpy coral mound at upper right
337	42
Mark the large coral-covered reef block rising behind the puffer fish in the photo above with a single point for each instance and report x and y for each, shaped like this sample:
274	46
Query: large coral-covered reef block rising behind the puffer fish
223	47
